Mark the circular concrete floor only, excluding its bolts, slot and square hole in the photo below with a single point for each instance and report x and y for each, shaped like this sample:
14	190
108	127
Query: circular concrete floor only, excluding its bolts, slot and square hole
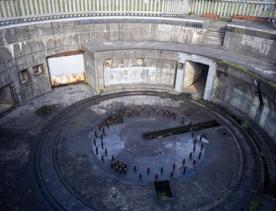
76	169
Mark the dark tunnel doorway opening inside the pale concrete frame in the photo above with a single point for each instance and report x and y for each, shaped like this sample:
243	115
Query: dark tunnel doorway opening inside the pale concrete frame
195	78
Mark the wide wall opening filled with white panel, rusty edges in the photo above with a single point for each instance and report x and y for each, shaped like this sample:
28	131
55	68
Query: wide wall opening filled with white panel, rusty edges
67	68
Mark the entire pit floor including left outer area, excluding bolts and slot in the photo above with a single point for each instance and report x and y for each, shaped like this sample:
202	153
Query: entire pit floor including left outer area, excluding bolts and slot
50	162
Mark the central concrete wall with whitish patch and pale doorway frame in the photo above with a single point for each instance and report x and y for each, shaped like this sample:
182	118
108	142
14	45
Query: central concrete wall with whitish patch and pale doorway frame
132	69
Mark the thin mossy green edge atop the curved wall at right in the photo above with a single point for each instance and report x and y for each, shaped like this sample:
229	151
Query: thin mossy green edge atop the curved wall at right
246	71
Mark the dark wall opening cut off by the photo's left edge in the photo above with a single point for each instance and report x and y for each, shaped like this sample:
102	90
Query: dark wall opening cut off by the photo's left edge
6	98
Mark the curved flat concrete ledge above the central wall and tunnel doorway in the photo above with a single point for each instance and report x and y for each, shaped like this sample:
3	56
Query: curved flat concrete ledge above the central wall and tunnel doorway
257	66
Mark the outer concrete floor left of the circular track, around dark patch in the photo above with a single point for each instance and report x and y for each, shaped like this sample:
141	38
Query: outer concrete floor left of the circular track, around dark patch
18	136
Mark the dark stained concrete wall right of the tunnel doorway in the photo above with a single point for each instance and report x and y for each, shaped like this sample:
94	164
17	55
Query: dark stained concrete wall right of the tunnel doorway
238	92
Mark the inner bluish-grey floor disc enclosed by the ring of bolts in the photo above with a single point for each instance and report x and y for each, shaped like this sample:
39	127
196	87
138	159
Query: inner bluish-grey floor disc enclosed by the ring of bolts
125	143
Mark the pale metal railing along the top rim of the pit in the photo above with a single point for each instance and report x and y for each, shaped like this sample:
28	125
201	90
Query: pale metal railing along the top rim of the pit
14	9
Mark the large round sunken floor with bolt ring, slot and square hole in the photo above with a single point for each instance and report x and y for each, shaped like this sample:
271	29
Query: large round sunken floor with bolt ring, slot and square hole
94	155
